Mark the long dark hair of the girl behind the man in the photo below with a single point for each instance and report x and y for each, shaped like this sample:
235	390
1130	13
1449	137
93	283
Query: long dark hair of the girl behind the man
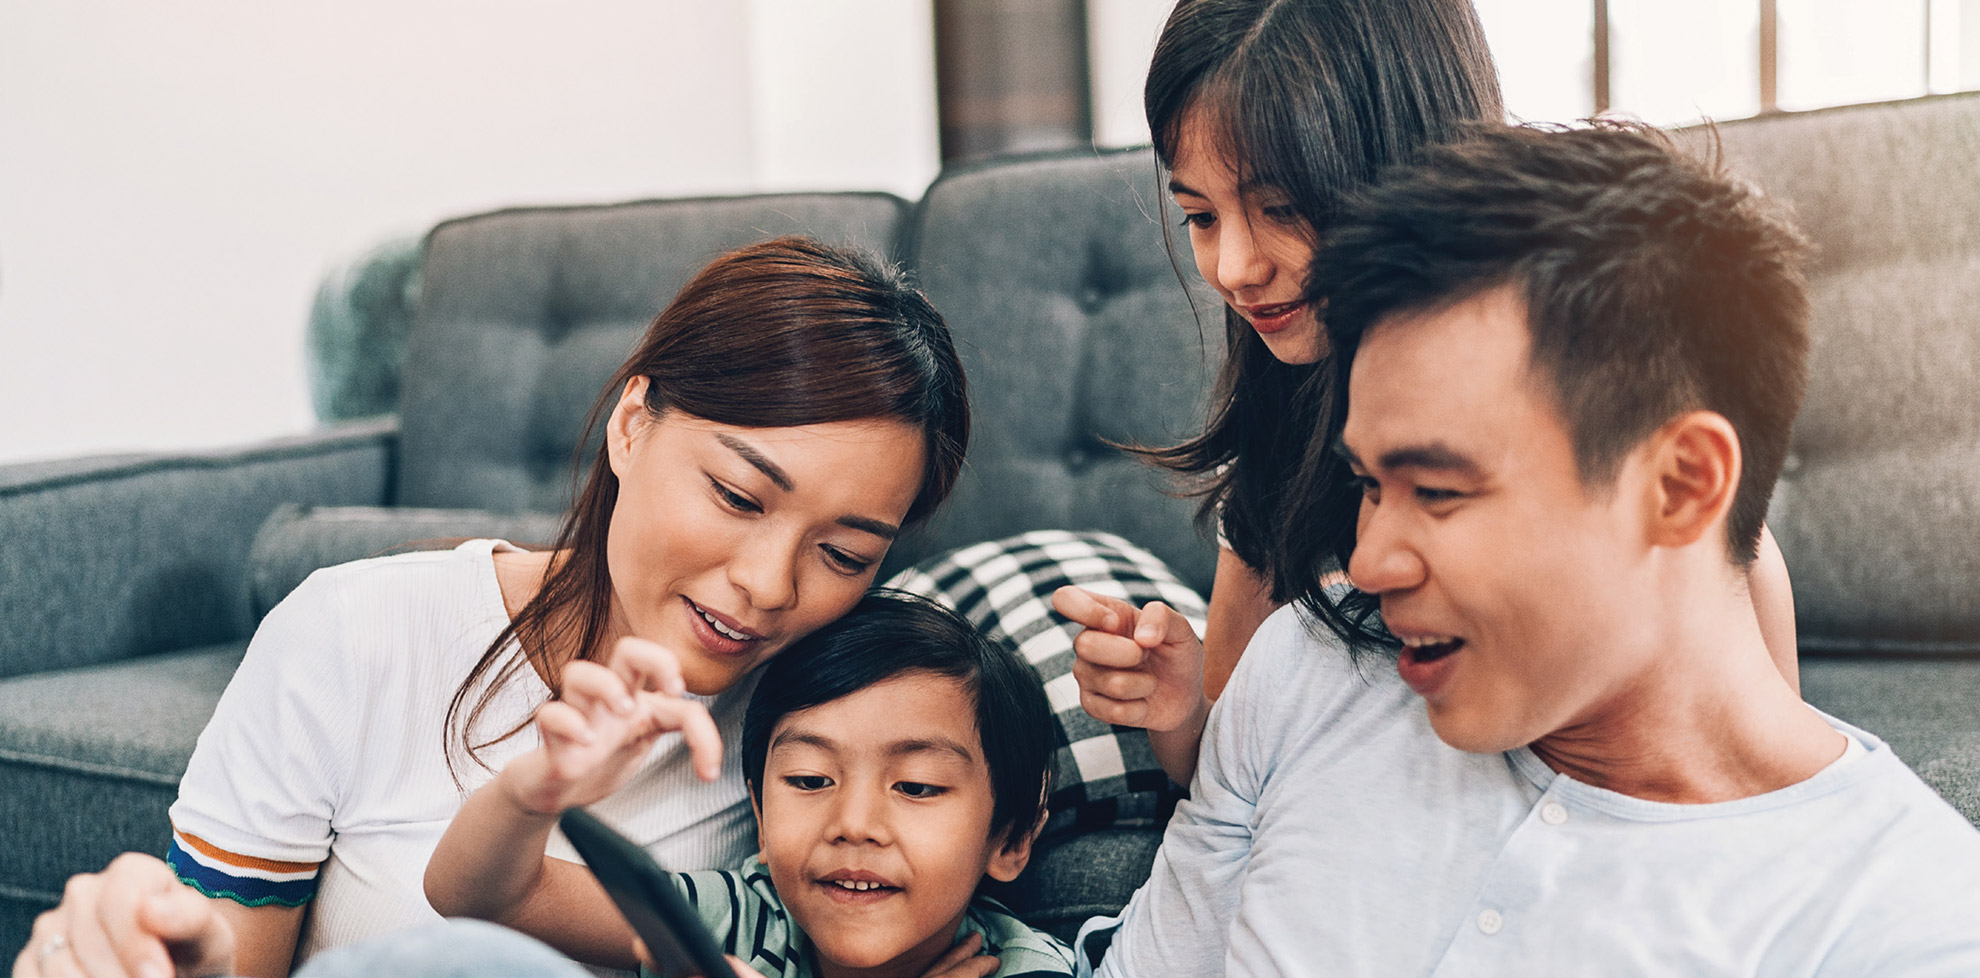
1312	98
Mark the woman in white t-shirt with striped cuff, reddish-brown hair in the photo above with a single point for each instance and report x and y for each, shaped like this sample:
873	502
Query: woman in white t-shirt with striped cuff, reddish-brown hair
777	427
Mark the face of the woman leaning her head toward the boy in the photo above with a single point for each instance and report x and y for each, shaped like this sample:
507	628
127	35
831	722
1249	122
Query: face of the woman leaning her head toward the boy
732	543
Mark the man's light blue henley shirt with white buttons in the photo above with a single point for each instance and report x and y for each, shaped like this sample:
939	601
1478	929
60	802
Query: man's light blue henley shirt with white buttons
1330	832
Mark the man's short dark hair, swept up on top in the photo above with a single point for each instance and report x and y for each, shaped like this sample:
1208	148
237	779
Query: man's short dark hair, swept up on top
1654	284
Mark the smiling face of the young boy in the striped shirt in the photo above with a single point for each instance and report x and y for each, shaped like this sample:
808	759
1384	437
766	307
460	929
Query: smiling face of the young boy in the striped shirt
876	821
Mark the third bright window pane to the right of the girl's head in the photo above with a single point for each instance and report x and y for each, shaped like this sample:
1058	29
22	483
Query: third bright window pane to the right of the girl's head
1836	52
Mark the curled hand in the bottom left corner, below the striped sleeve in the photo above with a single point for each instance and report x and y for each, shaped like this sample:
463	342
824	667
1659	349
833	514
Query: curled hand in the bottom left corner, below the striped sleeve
136	920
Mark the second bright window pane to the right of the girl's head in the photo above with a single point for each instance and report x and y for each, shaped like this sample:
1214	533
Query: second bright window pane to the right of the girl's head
1684	60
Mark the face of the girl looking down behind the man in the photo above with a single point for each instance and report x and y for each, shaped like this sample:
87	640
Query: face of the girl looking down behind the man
1248	244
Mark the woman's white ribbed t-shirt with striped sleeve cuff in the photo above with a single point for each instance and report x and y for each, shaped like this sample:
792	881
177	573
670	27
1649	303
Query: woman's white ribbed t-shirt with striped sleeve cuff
330	747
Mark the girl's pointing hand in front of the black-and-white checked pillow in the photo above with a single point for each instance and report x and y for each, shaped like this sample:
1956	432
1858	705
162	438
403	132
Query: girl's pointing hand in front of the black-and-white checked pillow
1138	668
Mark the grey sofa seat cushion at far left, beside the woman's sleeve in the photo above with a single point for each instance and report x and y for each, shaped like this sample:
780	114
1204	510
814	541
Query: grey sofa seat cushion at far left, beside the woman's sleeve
92	761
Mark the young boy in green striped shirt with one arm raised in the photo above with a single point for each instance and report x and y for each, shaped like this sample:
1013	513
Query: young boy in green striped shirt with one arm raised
896	759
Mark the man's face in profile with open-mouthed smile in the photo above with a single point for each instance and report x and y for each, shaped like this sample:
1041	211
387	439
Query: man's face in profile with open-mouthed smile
1518	591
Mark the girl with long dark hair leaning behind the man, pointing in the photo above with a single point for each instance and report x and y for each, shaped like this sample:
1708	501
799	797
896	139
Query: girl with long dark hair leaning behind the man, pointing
1266	114
